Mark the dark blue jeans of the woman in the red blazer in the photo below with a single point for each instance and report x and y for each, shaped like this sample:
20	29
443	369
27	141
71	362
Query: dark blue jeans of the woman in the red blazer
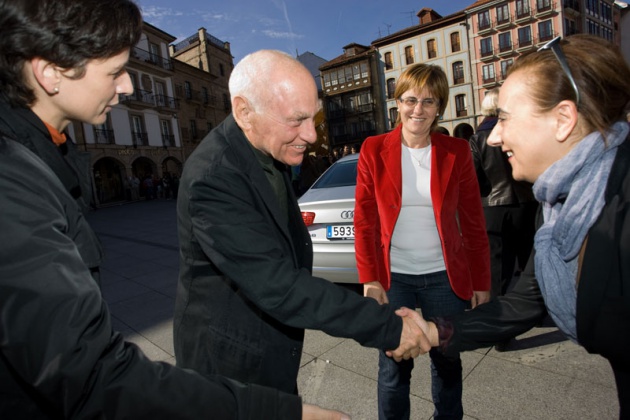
433	294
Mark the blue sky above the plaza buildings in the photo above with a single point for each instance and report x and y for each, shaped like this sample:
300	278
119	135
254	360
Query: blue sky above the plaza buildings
322	27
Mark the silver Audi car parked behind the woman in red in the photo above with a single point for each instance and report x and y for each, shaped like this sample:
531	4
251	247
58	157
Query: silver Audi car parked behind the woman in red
328	212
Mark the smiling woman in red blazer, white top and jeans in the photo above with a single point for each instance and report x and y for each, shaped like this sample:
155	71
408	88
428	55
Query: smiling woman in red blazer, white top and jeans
420	232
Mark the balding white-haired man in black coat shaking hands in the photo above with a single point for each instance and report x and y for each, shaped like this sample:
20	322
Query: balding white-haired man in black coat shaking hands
245	292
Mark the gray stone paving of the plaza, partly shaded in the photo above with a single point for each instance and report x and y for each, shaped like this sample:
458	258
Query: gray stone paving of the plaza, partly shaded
541	376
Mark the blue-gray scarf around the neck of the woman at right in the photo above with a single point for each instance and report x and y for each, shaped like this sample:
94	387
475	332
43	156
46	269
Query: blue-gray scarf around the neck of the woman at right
572	195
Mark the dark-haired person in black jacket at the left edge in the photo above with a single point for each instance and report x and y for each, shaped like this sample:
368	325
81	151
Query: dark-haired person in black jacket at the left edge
65	60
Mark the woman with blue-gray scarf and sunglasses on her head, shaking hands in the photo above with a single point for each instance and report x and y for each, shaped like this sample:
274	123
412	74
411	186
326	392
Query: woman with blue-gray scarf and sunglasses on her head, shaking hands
563	125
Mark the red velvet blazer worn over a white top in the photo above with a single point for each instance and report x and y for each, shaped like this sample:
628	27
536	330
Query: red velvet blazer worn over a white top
456	206
